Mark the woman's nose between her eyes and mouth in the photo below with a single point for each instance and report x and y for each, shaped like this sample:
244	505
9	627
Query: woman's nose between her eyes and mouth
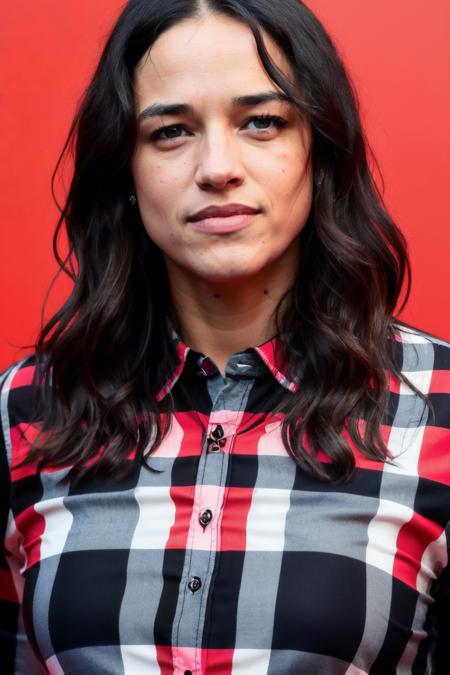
219	164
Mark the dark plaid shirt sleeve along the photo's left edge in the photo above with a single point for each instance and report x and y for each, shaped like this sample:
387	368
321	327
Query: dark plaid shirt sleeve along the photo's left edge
16	655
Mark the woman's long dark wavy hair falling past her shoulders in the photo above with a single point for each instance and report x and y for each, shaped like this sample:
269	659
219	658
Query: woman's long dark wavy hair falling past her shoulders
103	356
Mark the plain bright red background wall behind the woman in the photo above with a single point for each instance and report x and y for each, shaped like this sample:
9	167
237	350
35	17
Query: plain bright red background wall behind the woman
398	55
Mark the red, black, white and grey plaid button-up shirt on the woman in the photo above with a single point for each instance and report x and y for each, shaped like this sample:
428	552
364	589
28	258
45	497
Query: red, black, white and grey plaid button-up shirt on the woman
221	556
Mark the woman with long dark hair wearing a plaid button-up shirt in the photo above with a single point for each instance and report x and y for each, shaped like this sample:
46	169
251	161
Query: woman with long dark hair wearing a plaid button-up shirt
226	456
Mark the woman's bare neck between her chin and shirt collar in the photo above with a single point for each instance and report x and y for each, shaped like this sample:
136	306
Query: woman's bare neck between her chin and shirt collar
222	319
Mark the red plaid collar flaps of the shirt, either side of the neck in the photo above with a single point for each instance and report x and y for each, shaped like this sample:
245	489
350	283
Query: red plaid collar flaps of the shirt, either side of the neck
271	353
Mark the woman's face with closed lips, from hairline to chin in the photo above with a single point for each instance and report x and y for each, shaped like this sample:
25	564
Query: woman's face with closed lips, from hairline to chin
215	149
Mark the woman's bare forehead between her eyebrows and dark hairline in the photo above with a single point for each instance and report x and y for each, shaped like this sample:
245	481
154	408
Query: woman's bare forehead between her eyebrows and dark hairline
207	54
